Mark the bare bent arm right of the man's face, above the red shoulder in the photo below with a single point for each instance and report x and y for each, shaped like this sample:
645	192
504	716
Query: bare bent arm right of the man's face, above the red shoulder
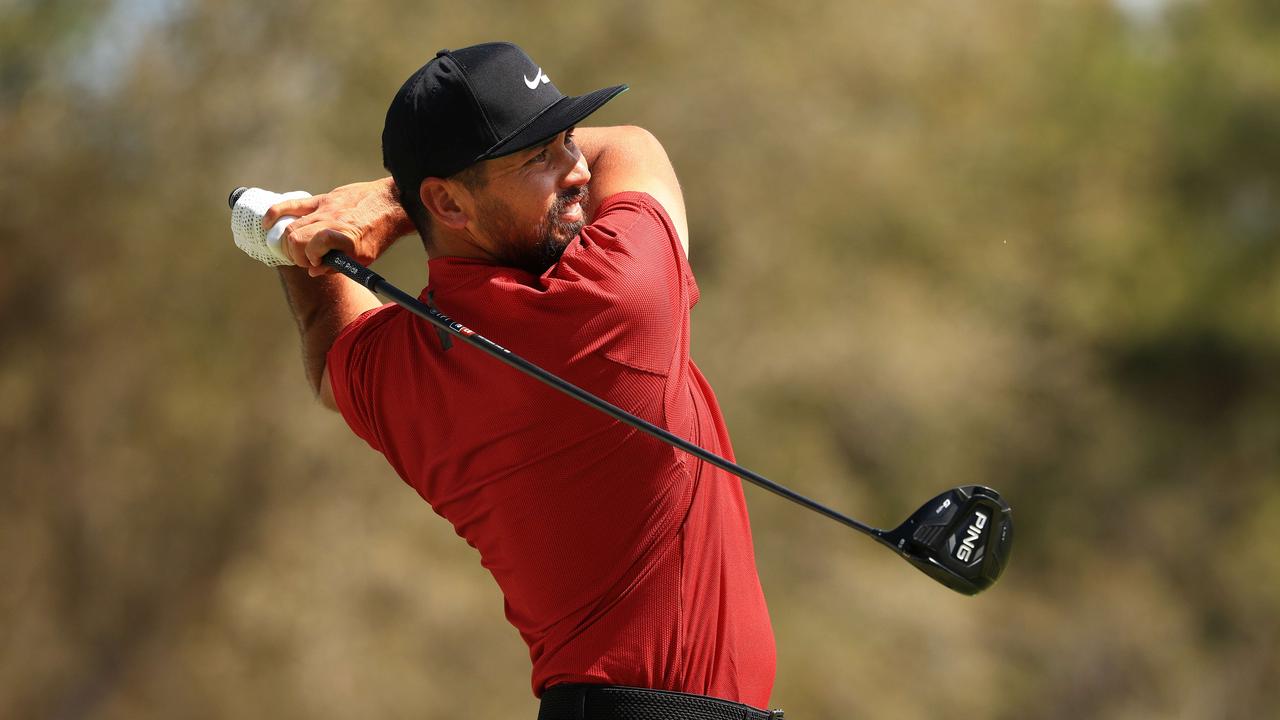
632	158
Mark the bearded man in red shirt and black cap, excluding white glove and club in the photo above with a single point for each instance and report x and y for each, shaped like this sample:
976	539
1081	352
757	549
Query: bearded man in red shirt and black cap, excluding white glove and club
624	562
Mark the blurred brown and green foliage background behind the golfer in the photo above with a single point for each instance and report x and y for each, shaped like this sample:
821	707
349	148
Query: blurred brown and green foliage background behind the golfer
1031	244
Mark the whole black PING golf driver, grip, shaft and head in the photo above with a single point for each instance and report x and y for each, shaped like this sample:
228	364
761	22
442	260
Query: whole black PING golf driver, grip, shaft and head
961	539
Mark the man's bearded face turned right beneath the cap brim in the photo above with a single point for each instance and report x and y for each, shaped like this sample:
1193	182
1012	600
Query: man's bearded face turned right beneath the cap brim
533	204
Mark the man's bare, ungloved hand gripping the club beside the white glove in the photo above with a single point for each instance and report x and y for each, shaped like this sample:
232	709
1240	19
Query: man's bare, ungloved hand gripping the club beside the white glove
362	220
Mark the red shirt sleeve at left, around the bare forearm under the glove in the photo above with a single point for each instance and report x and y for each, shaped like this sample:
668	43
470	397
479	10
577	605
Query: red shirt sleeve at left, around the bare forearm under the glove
354	366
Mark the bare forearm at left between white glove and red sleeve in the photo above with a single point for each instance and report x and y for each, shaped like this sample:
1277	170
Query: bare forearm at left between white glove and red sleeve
322	308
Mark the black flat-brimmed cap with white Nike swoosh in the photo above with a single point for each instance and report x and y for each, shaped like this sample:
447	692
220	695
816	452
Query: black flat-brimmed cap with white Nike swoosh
476	104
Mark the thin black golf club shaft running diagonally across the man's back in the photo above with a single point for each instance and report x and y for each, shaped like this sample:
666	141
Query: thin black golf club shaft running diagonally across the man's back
378	285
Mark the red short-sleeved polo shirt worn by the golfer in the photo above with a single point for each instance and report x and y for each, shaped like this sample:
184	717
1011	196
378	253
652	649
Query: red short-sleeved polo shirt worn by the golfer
621	559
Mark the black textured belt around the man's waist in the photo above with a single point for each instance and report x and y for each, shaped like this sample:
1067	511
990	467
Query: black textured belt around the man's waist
612	703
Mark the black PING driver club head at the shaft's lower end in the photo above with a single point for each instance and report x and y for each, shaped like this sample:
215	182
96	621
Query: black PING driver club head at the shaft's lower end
961	539
